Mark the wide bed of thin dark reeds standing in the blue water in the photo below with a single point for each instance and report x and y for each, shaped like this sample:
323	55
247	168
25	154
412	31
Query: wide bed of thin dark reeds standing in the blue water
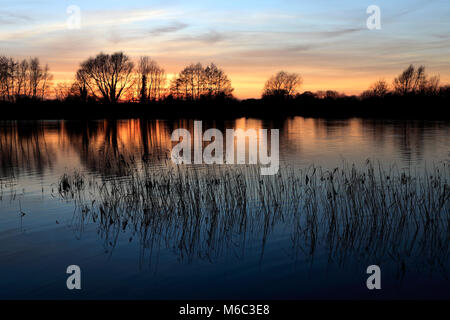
209	211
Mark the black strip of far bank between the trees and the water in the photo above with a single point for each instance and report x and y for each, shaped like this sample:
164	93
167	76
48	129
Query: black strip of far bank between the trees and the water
387	107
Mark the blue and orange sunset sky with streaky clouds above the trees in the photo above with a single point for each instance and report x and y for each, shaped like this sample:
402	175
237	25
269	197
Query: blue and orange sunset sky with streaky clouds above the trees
327	42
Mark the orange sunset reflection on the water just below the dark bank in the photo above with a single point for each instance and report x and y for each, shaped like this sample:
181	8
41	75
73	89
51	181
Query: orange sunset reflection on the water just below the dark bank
33	147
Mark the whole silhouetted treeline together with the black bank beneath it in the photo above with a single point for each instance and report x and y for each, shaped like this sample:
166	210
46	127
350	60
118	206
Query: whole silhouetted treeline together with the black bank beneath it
113	78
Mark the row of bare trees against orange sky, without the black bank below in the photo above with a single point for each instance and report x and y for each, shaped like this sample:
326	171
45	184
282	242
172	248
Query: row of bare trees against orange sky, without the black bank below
115	77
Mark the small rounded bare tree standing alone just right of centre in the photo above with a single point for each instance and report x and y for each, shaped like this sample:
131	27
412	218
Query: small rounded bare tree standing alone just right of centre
282	84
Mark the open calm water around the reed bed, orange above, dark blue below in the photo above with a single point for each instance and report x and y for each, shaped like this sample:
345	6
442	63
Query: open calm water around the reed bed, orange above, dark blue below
41	233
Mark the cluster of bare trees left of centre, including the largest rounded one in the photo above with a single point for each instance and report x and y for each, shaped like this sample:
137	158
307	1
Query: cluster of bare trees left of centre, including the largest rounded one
112	78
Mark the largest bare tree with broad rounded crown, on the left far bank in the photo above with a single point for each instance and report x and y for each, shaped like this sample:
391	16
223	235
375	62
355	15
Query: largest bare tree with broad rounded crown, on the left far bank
108	76
